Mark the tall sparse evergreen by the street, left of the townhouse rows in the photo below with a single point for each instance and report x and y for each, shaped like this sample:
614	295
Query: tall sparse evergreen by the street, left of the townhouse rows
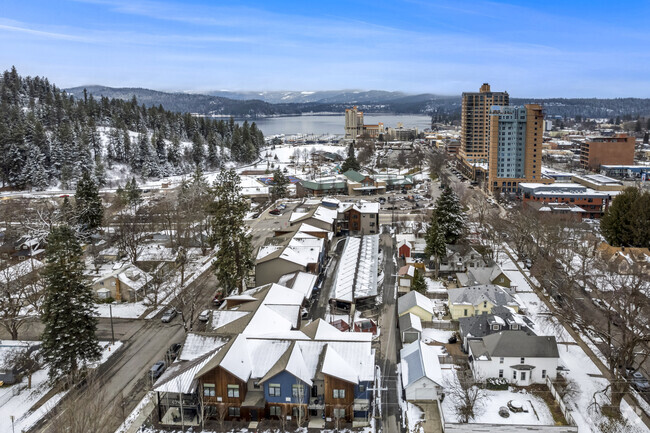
235	256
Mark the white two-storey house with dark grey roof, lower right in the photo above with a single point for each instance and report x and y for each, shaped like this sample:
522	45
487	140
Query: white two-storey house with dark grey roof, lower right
520	358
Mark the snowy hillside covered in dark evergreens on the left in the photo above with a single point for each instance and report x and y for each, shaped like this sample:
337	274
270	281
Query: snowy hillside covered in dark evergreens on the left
48	137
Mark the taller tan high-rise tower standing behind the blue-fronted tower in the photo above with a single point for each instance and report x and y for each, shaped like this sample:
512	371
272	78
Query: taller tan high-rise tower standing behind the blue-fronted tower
475	123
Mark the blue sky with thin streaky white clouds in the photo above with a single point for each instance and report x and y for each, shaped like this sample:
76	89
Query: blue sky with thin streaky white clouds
529	48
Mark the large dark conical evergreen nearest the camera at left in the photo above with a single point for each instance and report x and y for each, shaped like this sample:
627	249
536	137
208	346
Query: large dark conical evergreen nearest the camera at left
69	338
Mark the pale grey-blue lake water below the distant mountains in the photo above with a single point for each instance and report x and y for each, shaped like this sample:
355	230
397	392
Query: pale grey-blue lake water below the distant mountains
334	124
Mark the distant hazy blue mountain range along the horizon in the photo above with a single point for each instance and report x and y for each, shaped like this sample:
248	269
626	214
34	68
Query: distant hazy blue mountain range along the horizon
276	103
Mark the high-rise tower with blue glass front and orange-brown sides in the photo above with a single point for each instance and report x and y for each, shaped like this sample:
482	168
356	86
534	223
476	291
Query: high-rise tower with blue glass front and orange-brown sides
515	147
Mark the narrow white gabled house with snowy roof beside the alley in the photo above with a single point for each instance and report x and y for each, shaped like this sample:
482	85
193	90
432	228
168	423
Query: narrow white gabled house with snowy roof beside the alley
421	373
